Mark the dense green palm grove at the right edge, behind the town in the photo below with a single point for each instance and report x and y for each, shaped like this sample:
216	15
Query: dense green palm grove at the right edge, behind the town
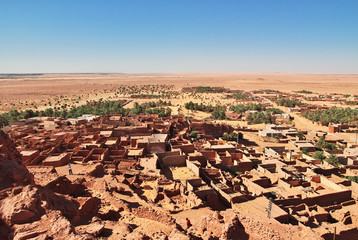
333	115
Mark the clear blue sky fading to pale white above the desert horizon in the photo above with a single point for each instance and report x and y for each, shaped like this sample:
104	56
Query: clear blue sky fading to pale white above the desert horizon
164	36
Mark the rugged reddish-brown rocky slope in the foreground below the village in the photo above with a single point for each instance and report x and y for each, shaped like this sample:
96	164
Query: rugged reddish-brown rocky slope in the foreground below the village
46	204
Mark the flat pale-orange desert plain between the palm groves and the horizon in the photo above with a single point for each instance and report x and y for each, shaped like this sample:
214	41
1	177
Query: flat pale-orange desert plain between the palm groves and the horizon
34	88
